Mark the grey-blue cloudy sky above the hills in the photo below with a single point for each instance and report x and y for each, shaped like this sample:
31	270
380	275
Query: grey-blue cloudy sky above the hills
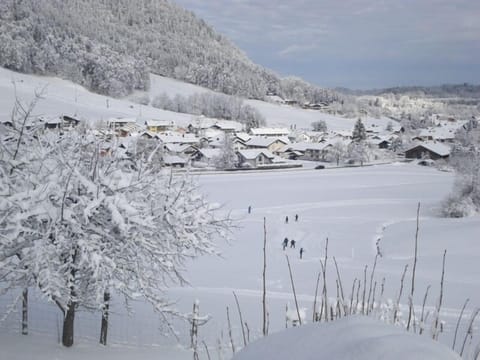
354	43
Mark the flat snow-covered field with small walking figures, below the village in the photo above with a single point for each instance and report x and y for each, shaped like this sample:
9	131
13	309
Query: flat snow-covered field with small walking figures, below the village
353	207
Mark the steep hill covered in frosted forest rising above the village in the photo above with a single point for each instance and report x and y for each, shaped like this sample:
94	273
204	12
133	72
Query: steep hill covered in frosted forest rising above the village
111	46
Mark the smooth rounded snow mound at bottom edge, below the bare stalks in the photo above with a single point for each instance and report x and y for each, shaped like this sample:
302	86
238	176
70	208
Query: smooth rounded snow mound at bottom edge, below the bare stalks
348	338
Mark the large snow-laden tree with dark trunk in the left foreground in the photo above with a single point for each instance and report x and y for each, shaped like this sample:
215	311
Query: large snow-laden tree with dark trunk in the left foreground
82	224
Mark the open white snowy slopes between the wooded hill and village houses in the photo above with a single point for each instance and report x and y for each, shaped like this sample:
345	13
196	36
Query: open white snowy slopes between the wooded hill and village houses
62	96
